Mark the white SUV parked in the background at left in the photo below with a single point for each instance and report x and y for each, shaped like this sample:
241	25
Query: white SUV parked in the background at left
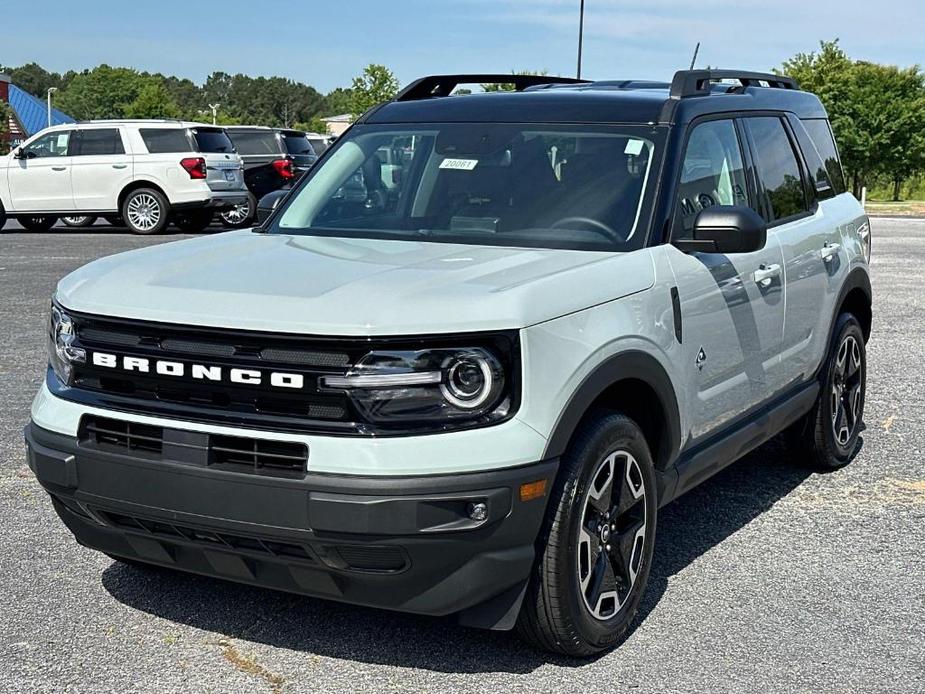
143	173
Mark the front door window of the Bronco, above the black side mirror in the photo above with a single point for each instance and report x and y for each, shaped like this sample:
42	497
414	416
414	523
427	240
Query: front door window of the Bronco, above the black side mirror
712	173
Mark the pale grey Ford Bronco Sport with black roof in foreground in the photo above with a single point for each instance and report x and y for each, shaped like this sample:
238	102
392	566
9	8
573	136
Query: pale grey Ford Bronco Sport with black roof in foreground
469	391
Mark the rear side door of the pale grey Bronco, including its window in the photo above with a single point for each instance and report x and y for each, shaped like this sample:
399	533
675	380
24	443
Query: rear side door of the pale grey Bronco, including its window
802	227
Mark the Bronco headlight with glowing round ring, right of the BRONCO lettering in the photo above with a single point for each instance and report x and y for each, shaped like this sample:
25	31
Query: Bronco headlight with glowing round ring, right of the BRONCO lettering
427	386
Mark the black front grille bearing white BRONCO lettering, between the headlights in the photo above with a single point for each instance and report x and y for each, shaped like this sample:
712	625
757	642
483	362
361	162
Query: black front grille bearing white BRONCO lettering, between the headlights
216	399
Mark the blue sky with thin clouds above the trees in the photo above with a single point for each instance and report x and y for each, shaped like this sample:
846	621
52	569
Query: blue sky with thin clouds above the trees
326	43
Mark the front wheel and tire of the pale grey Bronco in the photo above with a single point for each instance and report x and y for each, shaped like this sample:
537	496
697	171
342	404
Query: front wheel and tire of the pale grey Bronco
562	612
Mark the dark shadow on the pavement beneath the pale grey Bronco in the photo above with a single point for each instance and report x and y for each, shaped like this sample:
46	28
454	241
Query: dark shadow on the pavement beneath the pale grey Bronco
688	528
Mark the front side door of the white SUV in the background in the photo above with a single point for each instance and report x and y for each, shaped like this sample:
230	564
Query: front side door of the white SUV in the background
40	181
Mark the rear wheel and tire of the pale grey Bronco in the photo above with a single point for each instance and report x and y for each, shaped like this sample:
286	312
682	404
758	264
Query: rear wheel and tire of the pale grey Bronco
826	438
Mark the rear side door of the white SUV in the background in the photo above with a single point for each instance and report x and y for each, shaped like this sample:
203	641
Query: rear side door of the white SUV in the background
100	168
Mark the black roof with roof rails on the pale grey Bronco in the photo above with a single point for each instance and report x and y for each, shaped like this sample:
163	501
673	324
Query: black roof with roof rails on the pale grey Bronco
691	93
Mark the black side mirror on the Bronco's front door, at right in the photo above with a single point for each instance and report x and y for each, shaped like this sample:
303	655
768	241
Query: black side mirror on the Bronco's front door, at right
726	229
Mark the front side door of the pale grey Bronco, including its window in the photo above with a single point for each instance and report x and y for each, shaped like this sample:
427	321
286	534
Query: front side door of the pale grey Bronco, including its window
732	306
